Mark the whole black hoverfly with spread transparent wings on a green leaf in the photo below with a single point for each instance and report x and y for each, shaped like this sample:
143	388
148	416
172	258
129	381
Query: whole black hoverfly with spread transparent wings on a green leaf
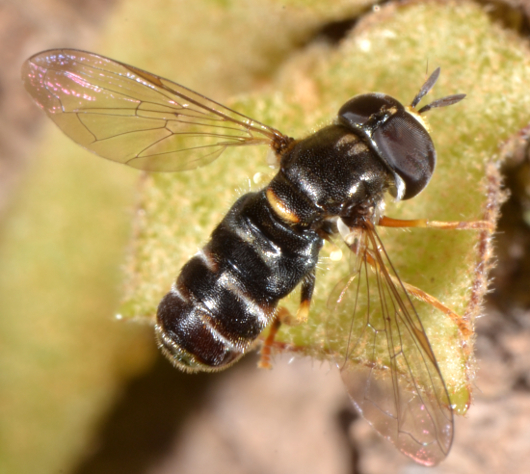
331	183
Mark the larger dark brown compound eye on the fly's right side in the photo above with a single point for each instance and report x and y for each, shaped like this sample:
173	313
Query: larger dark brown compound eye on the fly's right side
407	148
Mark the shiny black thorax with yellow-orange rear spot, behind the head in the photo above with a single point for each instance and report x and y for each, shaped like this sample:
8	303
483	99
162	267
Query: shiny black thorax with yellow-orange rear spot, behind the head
328	174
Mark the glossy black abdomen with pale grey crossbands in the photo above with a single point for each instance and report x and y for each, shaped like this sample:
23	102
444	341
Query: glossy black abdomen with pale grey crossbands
227	293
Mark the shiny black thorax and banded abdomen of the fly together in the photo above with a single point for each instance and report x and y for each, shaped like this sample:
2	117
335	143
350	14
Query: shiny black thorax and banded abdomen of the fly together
267	244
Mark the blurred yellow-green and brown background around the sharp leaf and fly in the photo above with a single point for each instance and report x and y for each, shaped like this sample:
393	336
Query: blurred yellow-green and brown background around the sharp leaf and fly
82	393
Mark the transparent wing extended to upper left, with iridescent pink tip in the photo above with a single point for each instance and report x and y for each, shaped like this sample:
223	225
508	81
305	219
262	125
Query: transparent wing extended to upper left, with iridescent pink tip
133	117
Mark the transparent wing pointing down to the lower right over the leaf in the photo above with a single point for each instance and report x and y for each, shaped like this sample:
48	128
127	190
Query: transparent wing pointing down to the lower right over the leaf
386	361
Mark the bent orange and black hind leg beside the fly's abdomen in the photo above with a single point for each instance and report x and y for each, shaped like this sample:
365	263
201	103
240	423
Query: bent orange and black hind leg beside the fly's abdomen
284	316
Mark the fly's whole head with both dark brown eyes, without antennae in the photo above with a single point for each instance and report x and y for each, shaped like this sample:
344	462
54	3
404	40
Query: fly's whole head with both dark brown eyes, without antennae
397	137
